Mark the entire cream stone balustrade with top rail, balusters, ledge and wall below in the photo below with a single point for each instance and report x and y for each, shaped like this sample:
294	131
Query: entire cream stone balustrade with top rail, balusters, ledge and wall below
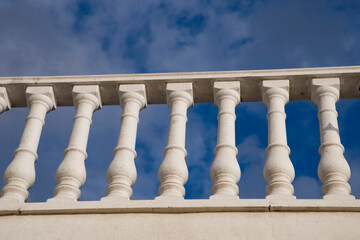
279	216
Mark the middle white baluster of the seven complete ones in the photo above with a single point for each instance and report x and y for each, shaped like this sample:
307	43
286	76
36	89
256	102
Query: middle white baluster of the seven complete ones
173	172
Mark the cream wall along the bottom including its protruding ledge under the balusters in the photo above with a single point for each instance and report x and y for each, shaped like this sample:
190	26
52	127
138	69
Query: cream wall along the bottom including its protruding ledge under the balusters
186	219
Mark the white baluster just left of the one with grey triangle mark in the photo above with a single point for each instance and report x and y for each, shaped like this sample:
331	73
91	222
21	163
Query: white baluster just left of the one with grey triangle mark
278	170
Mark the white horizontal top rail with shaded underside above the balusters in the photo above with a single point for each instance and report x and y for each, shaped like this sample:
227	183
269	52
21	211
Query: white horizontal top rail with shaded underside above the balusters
300	84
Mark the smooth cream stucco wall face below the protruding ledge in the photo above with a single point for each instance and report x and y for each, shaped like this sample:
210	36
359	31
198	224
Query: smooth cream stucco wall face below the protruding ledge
231	225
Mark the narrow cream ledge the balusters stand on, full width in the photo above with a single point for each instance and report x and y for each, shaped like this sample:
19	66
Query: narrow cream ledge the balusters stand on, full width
182	206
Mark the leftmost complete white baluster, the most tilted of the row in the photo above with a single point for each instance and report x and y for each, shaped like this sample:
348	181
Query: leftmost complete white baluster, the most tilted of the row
20	174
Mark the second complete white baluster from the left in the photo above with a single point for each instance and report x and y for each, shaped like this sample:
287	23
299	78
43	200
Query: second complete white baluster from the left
71	174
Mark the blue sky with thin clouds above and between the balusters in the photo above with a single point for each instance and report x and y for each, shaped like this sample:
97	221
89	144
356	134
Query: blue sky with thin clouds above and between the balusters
101	37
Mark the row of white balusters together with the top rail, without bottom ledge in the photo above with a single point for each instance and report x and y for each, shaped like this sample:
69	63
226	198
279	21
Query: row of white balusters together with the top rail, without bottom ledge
179	91
